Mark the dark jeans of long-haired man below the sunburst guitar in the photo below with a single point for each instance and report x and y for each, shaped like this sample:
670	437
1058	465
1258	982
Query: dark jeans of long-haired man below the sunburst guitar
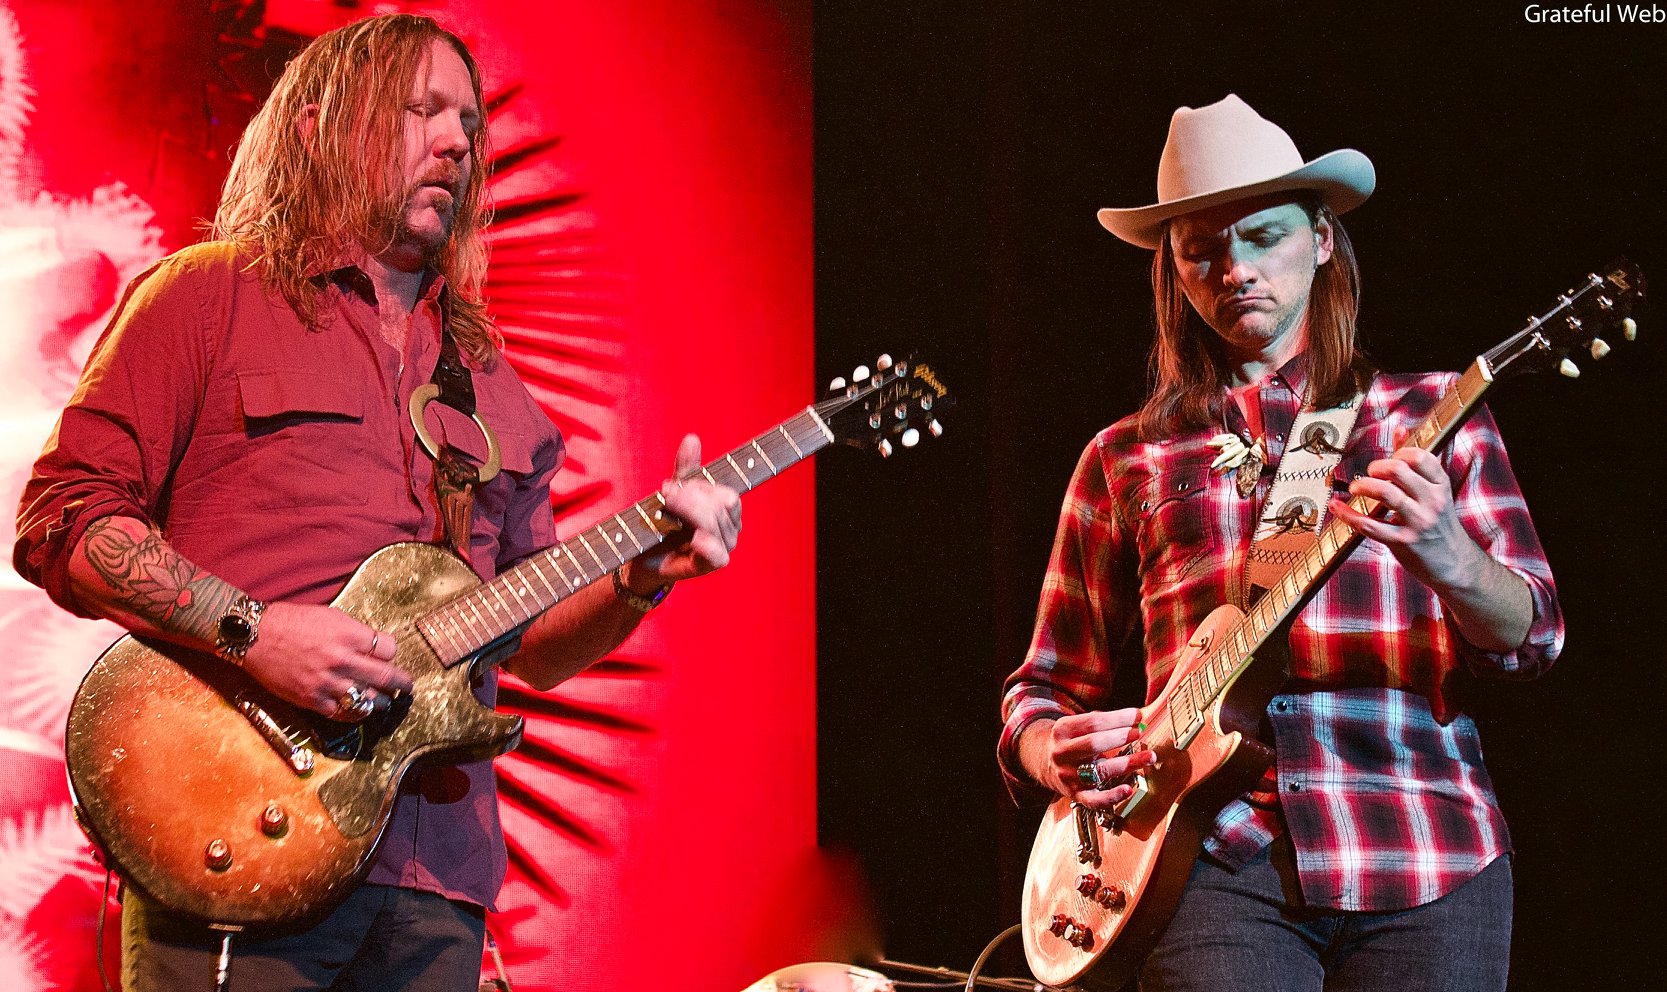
381	939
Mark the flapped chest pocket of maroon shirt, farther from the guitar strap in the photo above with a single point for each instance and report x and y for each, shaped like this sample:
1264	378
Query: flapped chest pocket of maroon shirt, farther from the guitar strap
304	439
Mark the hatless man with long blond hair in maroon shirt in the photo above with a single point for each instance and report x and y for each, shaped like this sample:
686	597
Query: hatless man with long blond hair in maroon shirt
238	448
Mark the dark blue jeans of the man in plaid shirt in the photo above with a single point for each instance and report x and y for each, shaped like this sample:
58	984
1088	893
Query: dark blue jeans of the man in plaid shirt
1249	931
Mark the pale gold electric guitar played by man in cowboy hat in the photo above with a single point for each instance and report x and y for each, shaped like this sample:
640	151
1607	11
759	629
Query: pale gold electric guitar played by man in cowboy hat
1103	886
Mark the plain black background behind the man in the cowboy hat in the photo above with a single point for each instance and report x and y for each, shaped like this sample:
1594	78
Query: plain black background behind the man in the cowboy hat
961	156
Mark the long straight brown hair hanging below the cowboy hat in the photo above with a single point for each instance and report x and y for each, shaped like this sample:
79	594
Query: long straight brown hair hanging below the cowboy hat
1189	371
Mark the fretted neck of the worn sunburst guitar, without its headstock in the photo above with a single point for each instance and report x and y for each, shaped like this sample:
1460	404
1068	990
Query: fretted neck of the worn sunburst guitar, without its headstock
504	606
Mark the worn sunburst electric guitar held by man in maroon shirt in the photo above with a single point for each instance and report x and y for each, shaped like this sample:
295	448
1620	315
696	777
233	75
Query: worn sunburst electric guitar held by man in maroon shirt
236	808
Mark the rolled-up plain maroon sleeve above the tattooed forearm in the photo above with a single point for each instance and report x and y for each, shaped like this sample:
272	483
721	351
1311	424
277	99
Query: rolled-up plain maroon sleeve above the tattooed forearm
126	428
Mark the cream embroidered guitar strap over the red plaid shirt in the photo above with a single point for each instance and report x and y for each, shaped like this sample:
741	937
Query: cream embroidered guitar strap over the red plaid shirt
1296	504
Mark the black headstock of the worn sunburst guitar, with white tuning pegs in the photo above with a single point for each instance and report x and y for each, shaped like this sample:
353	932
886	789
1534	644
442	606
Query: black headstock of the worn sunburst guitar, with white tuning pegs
891	406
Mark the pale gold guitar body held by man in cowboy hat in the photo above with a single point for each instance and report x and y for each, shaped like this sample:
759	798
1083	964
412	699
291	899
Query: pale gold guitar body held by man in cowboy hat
1098	936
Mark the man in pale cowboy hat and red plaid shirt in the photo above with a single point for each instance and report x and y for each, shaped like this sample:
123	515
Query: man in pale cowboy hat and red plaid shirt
1373	853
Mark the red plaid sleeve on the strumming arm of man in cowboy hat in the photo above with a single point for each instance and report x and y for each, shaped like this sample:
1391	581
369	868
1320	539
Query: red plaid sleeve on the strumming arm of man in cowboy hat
1089	603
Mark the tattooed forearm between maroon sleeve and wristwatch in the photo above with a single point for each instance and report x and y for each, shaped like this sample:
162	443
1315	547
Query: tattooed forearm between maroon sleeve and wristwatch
154	583
